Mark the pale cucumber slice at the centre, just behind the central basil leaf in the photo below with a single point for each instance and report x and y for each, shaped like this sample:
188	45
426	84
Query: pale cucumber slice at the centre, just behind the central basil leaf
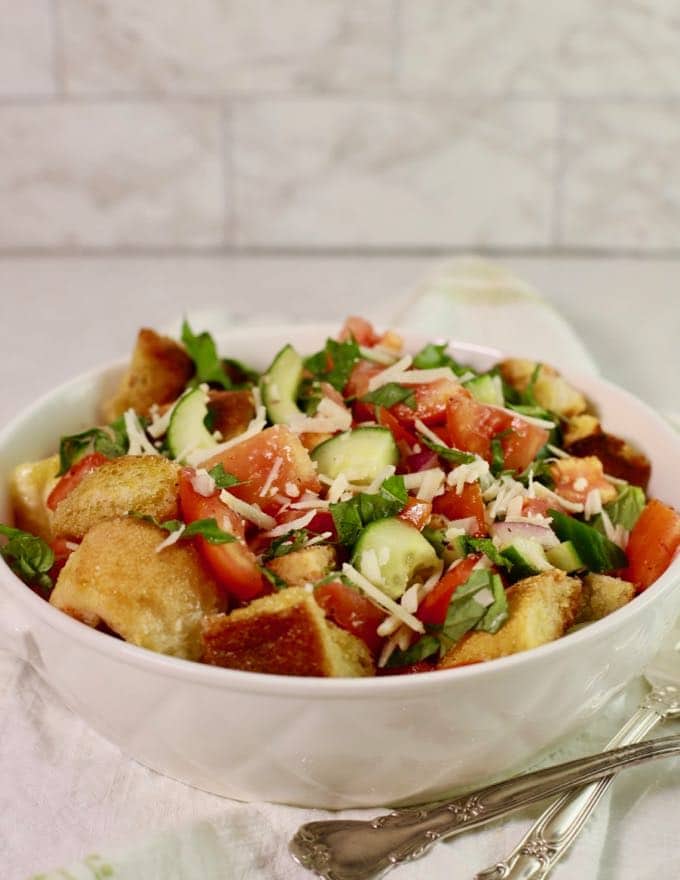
361	454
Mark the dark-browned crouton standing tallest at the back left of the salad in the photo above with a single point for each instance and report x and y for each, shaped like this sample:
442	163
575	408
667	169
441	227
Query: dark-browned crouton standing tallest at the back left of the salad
158	372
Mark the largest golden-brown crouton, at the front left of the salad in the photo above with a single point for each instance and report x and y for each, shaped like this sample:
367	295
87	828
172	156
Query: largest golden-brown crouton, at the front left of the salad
152	599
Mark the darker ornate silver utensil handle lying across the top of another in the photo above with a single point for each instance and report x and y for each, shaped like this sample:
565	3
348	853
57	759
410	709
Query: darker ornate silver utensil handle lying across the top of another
356	850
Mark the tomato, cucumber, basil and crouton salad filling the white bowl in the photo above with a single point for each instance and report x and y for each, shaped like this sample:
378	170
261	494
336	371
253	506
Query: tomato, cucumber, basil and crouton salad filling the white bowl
360	510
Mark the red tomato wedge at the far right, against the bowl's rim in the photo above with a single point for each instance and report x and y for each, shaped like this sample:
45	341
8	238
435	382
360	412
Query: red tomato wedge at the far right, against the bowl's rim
653	543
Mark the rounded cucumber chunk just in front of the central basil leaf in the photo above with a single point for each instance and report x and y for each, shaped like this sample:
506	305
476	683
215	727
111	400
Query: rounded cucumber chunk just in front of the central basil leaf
400	554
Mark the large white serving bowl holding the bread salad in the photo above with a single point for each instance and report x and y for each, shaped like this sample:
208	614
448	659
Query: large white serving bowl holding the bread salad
333	743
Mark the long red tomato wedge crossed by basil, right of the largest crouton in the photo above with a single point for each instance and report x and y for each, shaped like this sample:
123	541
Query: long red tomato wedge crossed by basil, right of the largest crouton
234	565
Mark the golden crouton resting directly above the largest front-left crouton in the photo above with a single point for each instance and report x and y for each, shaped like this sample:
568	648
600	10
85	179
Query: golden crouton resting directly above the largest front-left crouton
146	484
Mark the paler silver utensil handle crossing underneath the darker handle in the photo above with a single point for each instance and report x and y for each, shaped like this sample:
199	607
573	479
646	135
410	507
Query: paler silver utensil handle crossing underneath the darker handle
559	825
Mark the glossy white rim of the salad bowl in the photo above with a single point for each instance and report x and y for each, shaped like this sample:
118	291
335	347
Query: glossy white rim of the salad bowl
387	686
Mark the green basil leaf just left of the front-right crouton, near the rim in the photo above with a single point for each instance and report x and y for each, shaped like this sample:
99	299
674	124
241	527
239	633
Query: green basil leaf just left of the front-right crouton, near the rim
464	613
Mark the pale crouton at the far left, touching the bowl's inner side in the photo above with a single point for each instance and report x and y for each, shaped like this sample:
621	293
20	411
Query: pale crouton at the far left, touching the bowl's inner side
29	486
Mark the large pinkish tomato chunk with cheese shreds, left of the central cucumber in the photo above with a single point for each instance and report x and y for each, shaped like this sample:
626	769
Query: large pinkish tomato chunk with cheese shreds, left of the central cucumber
253	460
